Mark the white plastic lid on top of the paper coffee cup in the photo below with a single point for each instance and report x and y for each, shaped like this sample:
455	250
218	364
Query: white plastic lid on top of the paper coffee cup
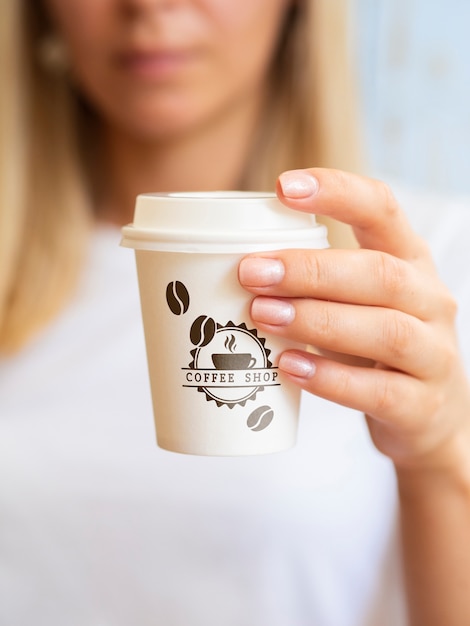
221	221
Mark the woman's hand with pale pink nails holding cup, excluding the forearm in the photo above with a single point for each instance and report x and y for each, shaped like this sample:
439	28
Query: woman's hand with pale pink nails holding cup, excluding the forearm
383	305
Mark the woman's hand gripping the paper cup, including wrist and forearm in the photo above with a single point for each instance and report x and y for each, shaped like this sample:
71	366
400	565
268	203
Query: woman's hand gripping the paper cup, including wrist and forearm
384	307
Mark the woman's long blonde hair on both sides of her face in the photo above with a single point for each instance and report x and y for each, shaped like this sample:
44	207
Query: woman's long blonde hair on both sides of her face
45	207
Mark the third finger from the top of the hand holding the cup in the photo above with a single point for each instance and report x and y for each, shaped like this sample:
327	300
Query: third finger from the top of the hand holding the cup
395	339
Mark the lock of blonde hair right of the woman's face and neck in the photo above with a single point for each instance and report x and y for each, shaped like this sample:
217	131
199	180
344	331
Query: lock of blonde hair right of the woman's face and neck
312	116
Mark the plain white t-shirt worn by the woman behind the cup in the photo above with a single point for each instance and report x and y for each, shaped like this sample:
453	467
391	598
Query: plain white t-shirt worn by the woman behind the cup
99	527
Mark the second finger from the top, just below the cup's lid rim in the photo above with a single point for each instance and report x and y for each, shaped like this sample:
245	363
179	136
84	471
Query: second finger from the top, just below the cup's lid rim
356	277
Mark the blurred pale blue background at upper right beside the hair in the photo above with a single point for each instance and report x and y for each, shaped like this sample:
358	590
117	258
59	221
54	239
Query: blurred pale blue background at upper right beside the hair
414	63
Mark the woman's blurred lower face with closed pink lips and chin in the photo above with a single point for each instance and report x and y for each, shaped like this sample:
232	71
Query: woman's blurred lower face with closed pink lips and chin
157	68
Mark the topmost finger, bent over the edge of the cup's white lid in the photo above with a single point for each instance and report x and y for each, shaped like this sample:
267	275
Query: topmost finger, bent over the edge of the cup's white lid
367	205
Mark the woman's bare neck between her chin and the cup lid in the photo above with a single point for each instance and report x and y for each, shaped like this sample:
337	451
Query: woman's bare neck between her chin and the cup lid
211	157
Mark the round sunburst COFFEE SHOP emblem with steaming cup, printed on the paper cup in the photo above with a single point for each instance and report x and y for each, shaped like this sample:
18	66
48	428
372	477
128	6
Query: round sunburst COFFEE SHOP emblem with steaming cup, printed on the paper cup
230	363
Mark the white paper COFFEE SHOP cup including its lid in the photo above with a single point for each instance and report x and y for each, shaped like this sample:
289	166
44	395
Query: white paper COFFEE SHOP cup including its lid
215	384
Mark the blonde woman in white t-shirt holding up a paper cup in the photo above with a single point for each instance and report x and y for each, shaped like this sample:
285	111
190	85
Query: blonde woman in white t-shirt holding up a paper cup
98	526
